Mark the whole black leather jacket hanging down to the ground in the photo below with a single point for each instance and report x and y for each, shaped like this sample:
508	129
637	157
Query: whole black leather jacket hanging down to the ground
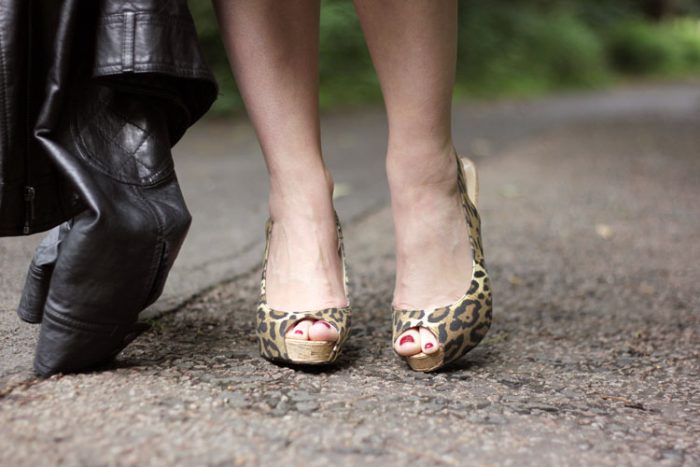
93	94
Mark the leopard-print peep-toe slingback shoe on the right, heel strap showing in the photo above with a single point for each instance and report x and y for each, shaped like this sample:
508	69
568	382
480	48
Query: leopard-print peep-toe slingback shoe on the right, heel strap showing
458	327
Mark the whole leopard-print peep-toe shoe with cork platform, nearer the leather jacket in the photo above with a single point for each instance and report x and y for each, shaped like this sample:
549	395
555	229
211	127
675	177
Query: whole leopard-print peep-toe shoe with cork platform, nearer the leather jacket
272	325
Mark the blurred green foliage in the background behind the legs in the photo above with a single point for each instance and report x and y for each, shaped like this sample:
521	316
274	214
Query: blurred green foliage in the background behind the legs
506	47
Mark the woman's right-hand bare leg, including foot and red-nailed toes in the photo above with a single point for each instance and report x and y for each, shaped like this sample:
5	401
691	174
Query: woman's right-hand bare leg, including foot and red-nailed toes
413	47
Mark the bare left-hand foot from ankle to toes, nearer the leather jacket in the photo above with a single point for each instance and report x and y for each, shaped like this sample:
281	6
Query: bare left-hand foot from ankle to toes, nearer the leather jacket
304	269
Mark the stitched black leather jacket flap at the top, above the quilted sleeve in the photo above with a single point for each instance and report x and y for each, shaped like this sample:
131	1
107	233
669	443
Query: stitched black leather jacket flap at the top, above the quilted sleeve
155	52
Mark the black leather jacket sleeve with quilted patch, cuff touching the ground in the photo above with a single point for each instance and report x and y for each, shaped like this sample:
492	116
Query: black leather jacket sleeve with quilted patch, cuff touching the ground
92	275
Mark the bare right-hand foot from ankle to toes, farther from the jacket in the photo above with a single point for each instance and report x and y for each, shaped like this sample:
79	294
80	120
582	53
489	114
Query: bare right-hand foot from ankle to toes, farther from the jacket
433	252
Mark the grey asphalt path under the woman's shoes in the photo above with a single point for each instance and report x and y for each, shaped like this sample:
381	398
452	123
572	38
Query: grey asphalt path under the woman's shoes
591	230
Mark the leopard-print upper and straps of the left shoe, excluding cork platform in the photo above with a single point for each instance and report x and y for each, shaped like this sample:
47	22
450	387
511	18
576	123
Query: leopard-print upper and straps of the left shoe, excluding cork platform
272	325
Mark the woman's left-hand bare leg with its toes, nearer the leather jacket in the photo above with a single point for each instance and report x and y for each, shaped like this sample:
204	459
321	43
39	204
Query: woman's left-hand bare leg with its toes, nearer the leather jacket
273	51
